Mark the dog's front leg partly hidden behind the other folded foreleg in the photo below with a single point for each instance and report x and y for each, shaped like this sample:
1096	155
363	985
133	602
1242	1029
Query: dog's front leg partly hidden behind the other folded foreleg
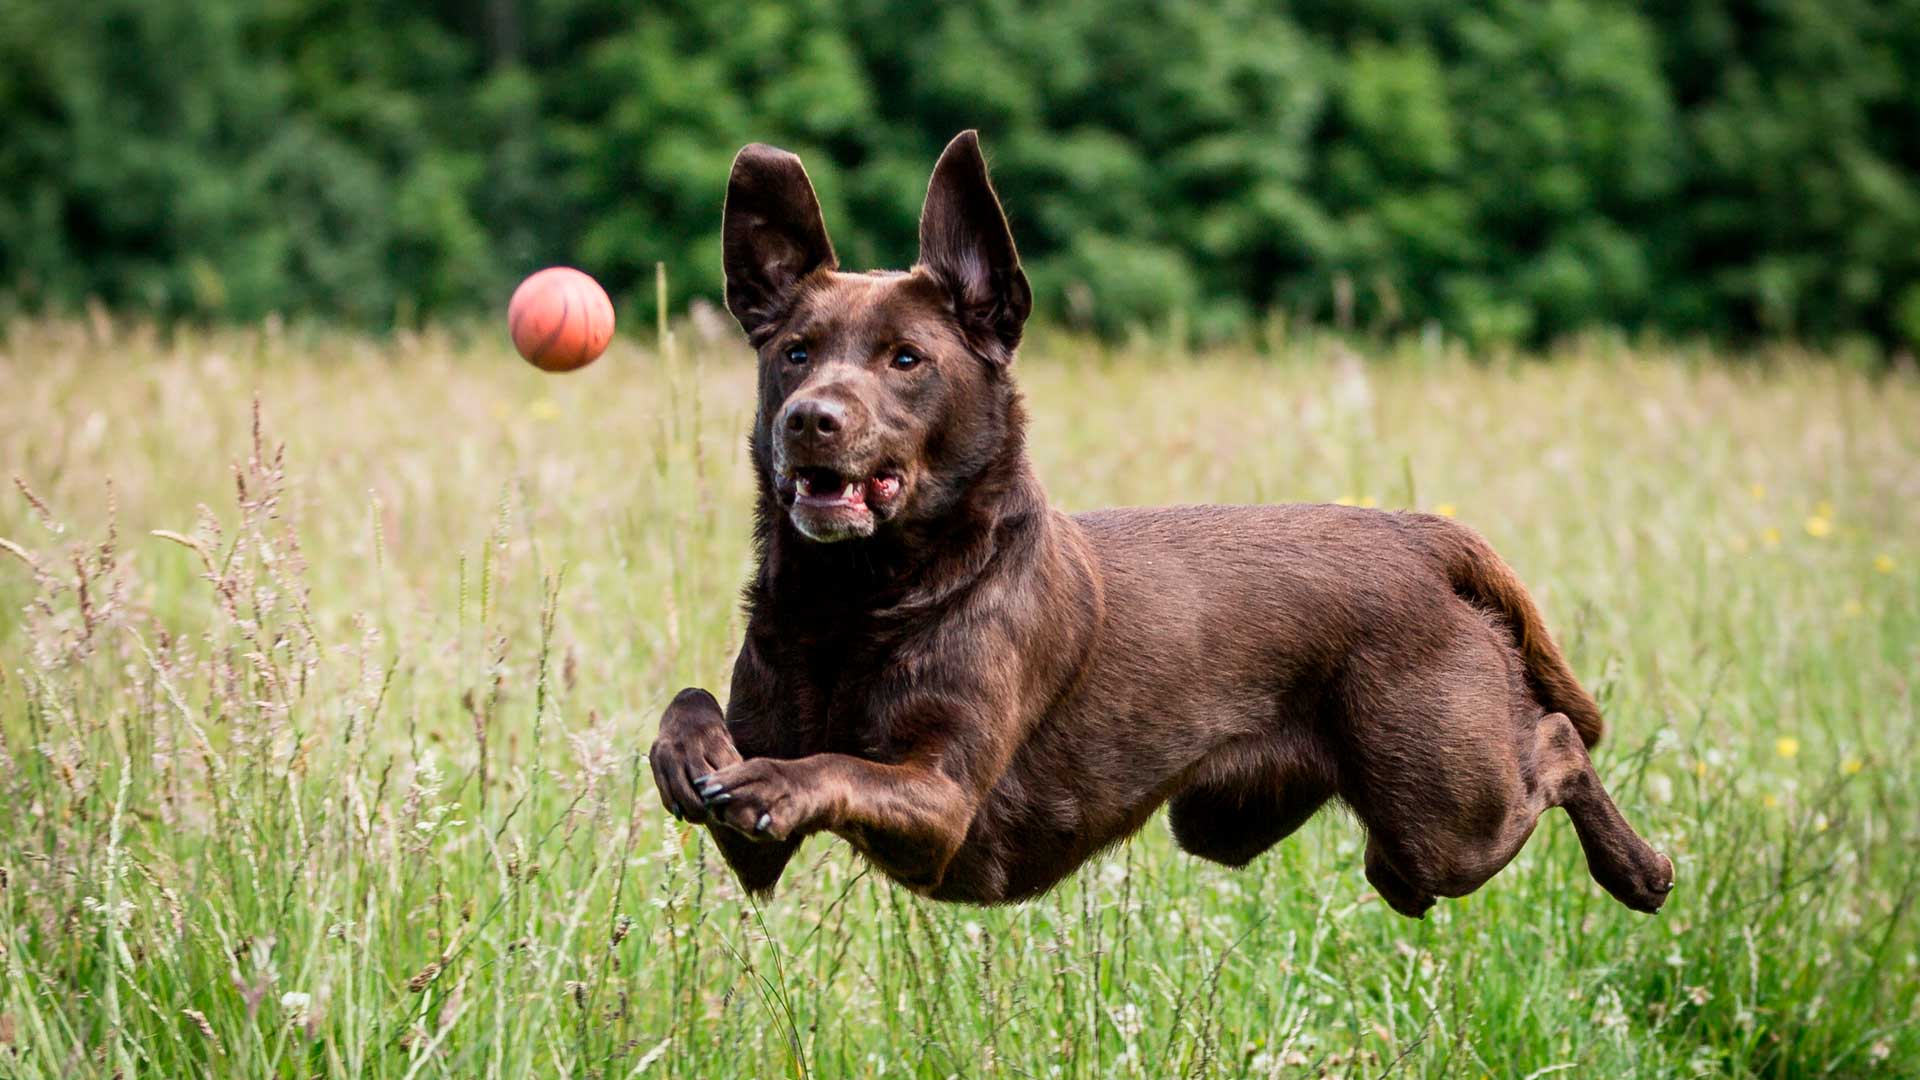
696	741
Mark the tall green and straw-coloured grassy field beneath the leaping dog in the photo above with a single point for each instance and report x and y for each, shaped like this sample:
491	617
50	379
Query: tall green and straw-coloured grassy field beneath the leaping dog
329	760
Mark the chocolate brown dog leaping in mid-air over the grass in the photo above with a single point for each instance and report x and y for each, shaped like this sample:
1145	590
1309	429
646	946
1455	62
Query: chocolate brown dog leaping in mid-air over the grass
978	693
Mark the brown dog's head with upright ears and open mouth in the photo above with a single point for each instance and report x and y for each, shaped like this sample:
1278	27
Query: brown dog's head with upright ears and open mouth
882	395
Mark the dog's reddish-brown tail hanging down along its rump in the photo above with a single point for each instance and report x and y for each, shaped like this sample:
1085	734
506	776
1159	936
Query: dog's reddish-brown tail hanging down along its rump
1483	577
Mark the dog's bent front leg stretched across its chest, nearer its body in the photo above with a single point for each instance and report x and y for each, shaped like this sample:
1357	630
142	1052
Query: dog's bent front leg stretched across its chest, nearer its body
911	820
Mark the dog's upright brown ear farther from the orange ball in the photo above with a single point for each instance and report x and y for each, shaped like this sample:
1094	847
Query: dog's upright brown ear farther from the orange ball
967	247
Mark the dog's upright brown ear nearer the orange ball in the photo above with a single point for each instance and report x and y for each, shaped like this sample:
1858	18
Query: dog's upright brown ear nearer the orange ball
771	233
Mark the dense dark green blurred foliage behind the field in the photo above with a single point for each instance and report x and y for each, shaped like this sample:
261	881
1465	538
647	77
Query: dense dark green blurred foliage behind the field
1510	168
